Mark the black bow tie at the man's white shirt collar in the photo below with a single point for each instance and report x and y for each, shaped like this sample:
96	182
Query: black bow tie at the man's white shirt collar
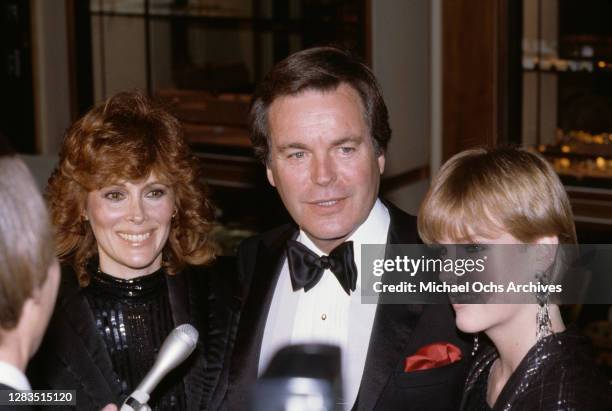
306	268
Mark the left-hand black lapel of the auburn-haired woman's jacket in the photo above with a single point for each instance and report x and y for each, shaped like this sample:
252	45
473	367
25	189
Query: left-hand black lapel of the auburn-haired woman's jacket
86	354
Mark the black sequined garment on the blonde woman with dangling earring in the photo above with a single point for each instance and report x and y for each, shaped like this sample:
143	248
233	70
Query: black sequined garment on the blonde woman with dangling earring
557	374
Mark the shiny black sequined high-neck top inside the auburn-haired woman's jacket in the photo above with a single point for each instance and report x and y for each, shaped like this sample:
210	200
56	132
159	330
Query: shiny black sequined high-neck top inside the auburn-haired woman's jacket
133	317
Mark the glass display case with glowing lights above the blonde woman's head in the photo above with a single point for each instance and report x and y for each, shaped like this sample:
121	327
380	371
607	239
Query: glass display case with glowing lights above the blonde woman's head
567	87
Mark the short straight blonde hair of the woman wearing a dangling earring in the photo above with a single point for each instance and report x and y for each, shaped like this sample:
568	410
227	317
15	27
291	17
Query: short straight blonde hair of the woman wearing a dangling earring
493	190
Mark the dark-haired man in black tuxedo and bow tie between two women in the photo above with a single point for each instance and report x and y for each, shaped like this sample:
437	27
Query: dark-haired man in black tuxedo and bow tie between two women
320	125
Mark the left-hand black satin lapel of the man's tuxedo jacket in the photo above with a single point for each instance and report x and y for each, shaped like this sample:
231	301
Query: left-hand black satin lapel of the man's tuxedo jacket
261	284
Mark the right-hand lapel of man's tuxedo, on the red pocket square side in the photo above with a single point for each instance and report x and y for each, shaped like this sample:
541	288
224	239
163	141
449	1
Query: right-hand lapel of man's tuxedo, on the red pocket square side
393	323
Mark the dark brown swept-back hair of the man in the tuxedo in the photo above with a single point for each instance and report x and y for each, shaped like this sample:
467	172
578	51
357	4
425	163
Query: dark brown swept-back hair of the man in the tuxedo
321	69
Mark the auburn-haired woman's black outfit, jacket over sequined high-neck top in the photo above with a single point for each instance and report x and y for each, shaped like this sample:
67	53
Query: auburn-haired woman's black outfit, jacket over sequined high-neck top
103	337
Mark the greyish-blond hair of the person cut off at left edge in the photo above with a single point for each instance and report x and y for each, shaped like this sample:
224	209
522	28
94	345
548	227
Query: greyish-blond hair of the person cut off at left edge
26	239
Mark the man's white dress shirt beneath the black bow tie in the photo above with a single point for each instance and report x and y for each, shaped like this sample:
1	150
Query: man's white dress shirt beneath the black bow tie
326	314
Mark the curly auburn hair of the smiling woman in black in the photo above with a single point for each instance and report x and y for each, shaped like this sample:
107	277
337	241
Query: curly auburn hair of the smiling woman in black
127	138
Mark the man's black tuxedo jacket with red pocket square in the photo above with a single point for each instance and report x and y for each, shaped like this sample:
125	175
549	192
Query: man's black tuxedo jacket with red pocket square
398	331
